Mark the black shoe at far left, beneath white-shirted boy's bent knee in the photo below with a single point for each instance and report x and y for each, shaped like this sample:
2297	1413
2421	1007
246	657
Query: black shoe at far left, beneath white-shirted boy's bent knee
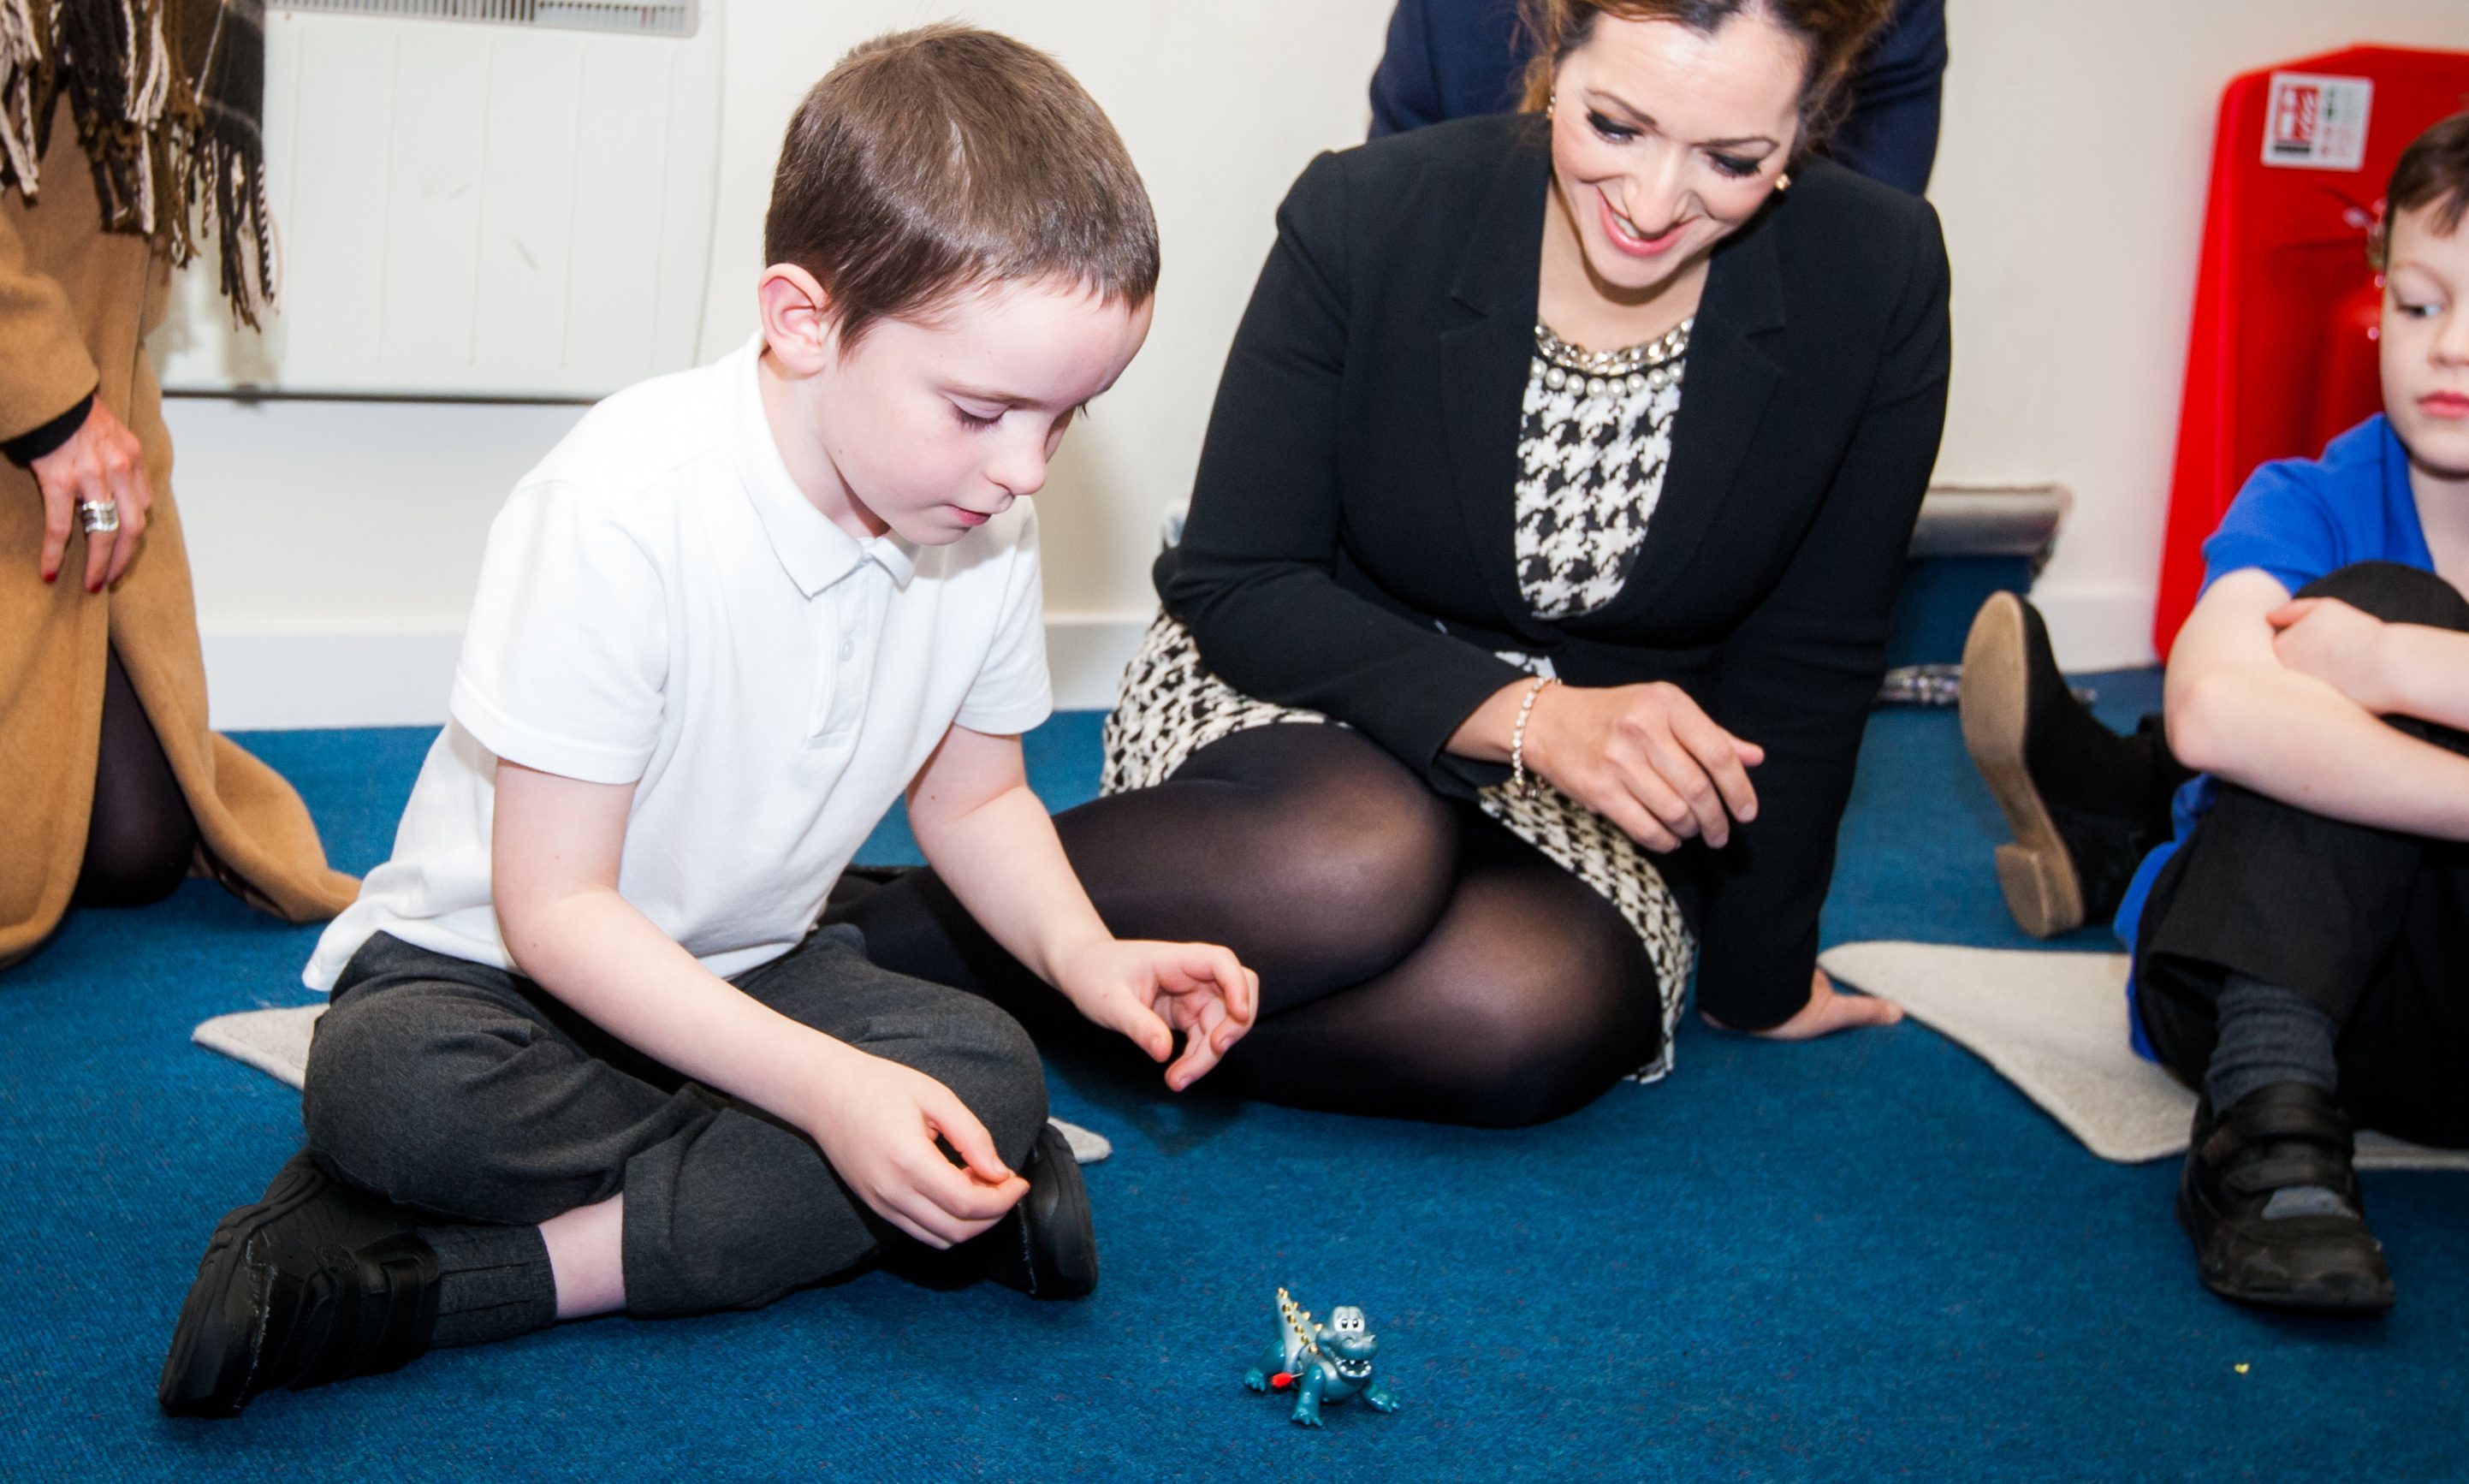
310	1285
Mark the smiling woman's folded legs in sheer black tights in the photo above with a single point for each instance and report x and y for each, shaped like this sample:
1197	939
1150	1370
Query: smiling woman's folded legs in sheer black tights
1416	959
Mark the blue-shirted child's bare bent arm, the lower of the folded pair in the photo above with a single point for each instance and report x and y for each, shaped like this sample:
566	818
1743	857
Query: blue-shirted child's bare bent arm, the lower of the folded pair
2238	710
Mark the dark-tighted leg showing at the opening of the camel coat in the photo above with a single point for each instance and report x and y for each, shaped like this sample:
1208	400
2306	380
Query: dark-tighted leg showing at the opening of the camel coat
142	833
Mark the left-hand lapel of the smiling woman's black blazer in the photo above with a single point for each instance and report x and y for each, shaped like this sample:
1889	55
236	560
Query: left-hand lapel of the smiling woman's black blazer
1483	369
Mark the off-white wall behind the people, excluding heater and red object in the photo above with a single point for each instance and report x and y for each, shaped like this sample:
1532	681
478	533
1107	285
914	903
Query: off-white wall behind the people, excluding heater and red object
337	542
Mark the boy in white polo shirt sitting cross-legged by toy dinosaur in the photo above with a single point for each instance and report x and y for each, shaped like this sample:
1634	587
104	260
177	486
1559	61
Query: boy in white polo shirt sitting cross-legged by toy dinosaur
589	1048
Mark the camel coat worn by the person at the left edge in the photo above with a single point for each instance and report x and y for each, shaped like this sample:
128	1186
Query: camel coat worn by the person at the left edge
75	310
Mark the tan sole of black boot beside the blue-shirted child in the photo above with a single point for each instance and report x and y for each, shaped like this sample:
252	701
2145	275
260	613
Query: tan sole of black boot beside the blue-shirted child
2036	873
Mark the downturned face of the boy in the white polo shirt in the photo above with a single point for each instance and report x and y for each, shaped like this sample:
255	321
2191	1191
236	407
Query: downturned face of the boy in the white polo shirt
935	428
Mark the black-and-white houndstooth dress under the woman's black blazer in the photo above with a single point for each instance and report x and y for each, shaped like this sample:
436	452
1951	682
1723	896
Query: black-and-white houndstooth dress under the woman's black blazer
1594	446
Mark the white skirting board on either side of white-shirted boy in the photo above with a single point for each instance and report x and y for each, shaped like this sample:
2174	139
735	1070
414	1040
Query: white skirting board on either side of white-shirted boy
273	680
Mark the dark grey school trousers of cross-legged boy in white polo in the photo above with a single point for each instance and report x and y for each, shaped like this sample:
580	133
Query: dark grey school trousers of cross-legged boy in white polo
478	1095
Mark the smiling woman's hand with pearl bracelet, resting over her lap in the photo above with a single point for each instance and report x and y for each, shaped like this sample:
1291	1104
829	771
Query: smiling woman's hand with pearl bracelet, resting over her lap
1648	759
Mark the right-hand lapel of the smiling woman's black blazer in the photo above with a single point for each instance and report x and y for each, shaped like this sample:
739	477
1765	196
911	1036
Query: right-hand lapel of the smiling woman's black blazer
1725	391
